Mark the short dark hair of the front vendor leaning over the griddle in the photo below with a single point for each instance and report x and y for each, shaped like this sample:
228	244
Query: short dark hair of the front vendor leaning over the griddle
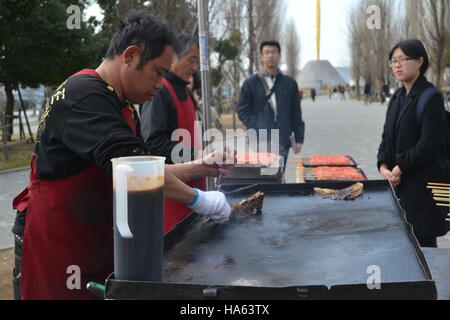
149	33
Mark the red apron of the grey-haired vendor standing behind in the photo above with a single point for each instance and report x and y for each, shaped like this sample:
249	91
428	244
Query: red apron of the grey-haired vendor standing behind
175	212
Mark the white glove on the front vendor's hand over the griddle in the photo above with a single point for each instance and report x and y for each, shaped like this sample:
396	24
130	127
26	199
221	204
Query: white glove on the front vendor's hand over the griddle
212	204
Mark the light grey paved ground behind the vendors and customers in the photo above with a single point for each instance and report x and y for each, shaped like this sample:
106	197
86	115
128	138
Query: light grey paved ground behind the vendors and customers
332	127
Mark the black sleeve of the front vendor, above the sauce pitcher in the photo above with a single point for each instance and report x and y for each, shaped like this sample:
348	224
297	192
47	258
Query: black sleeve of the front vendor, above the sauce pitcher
96	131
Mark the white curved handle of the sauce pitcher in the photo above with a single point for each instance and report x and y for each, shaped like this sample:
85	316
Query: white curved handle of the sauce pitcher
122	171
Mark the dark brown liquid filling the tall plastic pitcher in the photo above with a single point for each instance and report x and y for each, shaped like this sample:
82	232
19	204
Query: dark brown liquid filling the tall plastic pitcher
140	257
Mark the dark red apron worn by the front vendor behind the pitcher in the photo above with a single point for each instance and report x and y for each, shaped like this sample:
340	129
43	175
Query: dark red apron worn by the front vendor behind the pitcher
68	238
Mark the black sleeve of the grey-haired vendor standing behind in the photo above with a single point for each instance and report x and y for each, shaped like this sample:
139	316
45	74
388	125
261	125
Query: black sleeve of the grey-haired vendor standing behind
158	121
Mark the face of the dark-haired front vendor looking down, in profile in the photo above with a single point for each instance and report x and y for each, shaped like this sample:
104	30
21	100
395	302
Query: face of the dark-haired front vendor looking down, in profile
141	85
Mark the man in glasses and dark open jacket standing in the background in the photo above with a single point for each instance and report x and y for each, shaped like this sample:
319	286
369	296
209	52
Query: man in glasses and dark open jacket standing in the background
271	101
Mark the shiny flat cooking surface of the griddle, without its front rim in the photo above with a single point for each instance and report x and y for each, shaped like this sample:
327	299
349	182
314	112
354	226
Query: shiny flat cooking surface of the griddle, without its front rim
300	239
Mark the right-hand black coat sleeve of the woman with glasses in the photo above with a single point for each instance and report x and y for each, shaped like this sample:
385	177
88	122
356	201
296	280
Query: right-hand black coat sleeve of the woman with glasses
431	137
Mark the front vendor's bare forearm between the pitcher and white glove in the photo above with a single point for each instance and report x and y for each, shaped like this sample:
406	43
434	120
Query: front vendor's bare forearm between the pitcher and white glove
175	189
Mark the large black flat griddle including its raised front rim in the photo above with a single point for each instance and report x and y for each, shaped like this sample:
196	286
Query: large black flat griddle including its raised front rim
302	247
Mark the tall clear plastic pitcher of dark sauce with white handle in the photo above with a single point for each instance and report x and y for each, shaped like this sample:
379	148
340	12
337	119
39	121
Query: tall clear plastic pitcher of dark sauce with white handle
138	184
